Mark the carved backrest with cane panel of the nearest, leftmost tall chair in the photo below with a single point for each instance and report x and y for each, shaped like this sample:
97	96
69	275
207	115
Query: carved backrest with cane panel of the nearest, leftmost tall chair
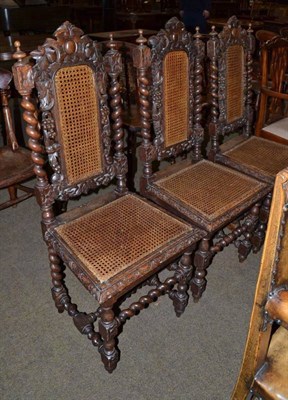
70	76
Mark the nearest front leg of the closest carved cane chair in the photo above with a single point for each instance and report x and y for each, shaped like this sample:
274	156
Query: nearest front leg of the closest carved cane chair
108	329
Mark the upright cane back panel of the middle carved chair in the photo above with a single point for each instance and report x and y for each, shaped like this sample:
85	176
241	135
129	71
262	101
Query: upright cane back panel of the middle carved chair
176	97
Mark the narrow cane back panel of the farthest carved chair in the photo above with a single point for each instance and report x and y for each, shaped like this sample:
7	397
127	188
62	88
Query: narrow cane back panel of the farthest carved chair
235	82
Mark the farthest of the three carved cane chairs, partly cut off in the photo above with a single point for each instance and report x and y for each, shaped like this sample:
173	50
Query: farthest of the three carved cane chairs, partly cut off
230	55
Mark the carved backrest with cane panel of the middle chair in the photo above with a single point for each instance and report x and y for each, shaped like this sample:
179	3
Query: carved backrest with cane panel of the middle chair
175	88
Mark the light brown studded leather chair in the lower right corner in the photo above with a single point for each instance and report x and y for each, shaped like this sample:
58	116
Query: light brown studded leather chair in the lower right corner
264	370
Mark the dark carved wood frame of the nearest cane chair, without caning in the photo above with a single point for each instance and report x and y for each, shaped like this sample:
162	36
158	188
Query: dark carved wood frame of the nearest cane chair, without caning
71	48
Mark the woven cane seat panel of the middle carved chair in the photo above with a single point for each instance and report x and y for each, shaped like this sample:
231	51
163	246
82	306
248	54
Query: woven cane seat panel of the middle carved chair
209	188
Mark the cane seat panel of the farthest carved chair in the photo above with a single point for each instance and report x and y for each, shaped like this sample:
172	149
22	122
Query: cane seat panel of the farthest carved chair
263	155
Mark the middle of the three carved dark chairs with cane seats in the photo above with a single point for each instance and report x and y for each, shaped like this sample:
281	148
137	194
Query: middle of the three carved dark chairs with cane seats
201	192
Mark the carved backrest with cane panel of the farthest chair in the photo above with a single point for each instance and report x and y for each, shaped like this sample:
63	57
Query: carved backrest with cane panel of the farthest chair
230	55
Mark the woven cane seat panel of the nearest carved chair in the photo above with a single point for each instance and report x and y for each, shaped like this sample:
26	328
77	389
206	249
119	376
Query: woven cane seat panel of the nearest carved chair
114	237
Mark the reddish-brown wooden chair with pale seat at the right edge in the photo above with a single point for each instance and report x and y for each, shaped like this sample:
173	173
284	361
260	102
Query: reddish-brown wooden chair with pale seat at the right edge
272	118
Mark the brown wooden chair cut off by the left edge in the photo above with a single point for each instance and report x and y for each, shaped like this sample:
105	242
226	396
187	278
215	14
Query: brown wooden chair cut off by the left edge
16	165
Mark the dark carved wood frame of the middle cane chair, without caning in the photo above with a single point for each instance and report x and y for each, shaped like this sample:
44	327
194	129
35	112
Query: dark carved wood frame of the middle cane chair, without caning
152	149
